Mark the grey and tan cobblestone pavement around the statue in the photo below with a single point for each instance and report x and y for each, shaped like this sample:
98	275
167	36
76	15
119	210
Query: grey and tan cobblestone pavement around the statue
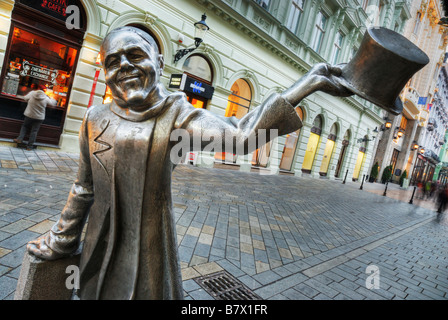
282	237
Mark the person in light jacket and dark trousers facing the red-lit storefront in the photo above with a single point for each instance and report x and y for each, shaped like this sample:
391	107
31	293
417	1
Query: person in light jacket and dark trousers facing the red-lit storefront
34	115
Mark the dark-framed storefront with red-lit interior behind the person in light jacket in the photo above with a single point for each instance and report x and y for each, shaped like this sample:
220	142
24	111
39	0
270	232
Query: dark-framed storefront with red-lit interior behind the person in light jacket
40	51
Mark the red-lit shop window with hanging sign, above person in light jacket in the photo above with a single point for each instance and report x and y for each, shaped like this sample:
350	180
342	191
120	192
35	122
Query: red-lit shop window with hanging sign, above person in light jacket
36	60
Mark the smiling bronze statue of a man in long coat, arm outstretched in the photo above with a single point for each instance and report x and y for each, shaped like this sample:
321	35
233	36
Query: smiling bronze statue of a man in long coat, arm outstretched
124	178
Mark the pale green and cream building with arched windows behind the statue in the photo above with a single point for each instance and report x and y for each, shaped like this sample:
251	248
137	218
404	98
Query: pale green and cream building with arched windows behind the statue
253	49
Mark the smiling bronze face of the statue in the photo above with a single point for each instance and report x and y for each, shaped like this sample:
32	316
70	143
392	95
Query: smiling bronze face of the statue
132	68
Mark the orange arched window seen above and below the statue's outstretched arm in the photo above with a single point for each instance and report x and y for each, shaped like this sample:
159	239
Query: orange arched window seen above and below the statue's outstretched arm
238	104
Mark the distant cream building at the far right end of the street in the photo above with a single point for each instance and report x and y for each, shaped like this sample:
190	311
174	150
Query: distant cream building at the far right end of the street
408	145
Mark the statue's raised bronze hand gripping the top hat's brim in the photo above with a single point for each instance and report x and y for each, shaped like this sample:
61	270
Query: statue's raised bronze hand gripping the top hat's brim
327	78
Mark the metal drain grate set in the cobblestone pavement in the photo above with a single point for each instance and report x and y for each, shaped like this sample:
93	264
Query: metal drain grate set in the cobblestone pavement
223	286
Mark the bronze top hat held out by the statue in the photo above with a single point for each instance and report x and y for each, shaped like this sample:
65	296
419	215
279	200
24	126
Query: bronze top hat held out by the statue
381	68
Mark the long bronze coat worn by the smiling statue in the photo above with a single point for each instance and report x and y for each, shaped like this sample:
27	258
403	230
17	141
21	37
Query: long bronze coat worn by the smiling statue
124	187
